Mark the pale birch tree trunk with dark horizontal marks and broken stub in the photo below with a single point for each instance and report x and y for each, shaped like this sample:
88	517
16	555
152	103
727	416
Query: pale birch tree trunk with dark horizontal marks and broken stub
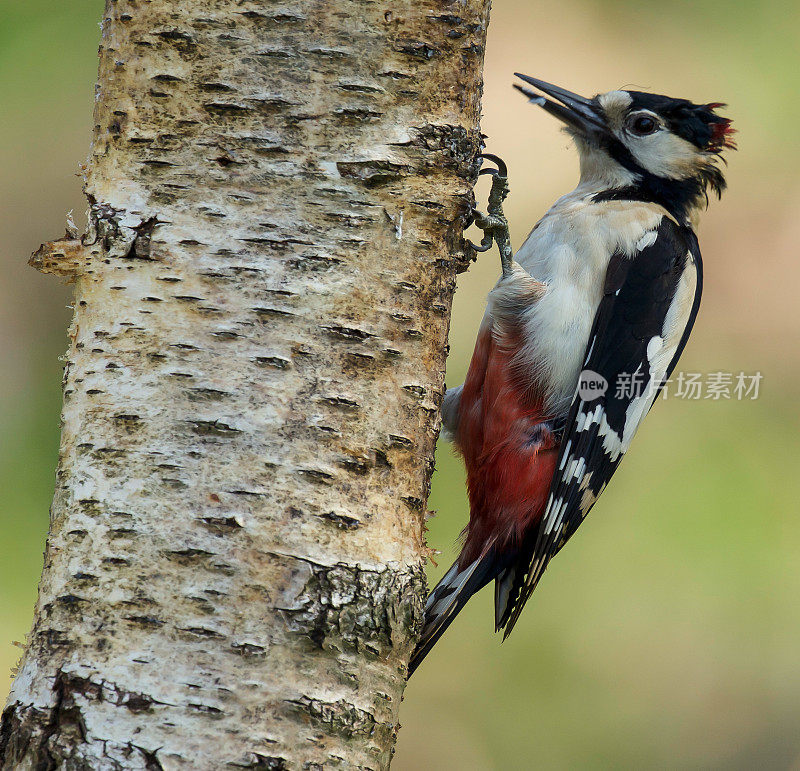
234	572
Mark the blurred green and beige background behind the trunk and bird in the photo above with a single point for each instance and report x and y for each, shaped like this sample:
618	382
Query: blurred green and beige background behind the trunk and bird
667	634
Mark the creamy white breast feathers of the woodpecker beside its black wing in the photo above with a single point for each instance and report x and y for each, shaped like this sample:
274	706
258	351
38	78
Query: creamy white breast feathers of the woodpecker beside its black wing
569	251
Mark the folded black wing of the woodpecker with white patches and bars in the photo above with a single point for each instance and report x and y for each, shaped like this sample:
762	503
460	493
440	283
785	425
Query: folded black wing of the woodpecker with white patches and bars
650	300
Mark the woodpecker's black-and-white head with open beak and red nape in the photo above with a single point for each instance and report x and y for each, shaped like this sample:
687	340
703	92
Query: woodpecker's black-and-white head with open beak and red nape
665	149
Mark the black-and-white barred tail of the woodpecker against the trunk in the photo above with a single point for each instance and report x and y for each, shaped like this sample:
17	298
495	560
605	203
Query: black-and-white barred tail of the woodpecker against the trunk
447	599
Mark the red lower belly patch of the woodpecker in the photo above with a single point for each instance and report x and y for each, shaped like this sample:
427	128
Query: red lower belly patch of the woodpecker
510	457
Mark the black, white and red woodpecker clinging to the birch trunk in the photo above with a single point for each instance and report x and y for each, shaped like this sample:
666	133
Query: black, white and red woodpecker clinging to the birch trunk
603	293
